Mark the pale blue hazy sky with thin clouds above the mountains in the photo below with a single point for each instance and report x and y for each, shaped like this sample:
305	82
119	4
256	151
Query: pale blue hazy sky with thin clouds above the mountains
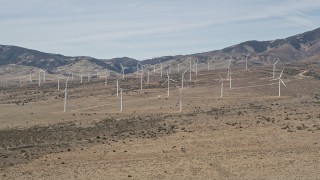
144	29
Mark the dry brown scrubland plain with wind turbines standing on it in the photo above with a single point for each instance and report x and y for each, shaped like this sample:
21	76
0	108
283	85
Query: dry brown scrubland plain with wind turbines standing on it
248	133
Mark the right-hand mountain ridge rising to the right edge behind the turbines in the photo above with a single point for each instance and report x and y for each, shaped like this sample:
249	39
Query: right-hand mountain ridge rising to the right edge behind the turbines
288	50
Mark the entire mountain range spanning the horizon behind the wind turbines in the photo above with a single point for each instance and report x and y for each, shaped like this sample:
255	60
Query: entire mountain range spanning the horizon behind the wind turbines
291	49
